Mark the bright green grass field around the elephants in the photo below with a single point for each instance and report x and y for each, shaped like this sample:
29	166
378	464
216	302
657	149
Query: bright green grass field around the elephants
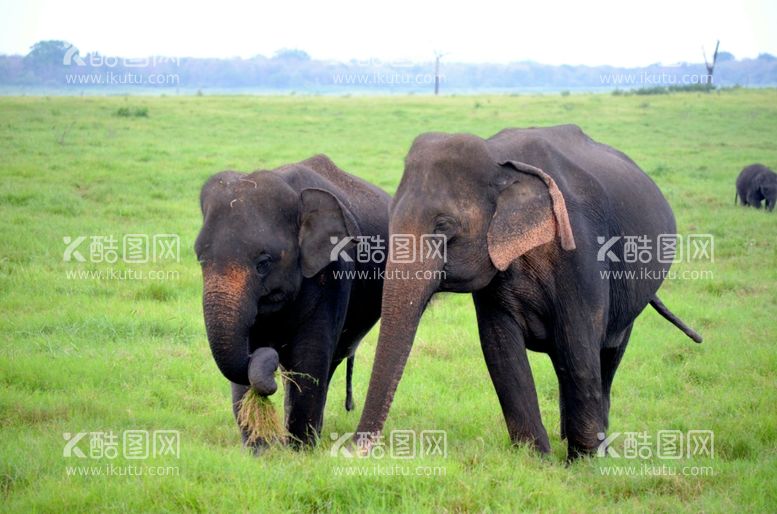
85	355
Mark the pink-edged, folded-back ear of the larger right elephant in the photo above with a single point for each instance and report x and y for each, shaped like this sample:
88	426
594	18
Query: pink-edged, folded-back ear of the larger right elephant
530	211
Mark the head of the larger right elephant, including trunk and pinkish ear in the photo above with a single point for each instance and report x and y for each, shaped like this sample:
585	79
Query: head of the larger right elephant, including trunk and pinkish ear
490	211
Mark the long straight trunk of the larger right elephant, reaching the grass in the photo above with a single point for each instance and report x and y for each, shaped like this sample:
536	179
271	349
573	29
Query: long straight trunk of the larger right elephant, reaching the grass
406	292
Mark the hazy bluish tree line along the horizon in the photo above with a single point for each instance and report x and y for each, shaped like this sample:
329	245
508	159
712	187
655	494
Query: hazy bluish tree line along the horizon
58	64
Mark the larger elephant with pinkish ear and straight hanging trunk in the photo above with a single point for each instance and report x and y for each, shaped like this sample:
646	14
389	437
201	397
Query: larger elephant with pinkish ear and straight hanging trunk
524	214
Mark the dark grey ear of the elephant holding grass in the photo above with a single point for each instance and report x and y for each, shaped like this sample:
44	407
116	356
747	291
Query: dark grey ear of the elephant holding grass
323	219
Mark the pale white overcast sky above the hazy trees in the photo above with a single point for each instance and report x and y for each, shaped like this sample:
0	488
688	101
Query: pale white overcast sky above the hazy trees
616	32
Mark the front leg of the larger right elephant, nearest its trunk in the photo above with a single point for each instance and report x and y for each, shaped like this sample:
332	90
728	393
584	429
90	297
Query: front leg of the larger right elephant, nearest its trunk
504	350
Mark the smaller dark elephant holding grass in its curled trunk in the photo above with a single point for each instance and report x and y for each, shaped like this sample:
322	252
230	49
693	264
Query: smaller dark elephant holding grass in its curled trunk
271	281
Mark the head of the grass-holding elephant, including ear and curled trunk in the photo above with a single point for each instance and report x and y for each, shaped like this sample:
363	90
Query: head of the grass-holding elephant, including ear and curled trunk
260	239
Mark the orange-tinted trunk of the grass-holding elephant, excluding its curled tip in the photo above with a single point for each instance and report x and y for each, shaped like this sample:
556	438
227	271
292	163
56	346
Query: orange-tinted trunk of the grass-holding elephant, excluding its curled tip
229	315
